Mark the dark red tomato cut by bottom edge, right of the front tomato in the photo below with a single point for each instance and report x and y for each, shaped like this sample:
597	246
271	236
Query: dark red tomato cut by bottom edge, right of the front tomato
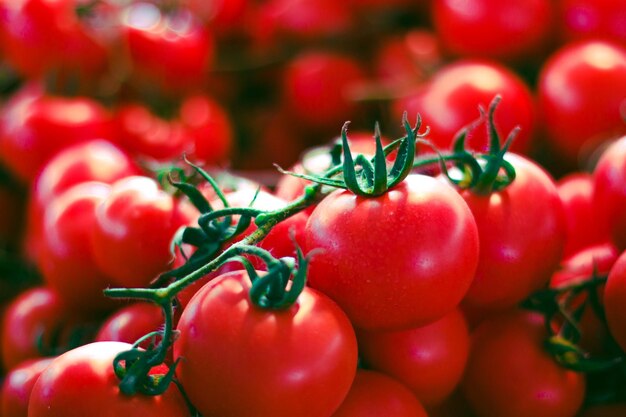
373	394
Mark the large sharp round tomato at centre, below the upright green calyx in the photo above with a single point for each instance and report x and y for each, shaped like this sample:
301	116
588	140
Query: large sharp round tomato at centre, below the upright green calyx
399	260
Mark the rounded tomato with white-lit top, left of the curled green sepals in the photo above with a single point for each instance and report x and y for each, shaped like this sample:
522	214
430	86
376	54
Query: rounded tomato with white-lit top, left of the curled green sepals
133	230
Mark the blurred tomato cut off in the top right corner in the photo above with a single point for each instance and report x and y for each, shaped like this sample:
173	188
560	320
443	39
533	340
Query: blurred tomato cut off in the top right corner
592	19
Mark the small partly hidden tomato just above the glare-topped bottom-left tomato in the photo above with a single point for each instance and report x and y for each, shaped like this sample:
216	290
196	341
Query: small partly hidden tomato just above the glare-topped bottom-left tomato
130	323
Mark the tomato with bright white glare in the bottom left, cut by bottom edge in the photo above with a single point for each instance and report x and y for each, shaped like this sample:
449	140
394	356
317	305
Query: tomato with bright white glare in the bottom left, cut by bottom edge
82	382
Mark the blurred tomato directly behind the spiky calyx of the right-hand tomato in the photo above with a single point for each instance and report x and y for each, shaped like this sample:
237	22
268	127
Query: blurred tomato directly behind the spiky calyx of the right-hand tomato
450	100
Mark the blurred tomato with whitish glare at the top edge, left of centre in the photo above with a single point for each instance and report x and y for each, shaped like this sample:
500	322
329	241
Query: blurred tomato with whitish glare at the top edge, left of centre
174	51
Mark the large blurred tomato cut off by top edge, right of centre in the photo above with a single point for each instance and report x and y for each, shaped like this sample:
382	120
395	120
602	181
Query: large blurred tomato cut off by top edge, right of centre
502	30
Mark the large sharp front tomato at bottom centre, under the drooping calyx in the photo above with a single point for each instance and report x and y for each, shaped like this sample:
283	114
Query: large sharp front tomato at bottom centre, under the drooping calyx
294	362
